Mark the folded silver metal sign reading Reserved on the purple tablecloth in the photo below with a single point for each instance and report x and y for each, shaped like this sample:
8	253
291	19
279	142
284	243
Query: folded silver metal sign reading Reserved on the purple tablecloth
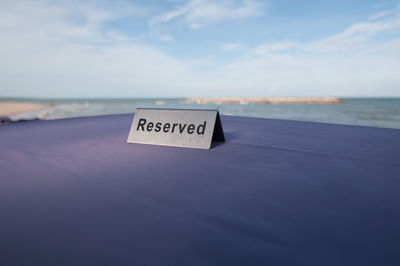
176	127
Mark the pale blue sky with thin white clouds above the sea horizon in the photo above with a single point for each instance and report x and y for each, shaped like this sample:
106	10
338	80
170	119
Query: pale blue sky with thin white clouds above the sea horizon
204	48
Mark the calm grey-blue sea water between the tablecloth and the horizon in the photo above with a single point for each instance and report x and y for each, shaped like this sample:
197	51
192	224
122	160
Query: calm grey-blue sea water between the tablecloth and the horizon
375	112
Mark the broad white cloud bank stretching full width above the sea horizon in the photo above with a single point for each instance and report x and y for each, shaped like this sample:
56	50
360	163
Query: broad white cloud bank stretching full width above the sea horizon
64	51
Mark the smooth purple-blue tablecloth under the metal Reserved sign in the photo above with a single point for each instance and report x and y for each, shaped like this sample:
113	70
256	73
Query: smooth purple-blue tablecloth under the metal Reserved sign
73	192
